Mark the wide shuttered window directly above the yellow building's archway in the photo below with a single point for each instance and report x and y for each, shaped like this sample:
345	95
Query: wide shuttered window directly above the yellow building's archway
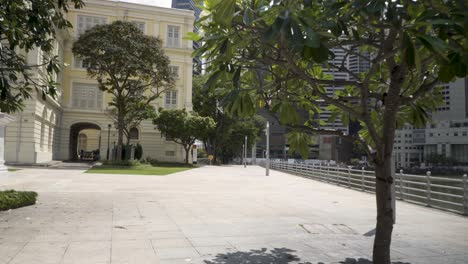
86	96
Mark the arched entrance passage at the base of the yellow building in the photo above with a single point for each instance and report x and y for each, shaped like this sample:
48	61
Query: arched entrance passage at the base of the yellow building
85	141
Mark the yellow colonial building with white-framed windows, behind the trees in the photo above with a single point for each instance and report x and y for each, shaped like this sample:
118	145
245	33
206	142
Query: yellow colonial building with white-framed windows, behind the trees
58	129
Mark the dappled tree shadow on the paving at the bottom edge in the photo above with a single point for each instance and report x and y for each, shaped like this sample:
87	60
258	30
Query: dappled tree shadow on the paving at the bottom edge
275	256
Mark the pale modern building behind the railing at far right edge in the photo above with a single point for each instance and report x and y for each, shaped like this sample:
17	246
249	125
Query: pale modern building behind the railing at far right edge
446	134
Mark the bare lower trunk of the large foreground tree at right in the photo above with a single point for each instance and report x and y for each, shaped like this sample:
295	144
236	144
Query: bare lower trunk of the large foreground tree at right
385	212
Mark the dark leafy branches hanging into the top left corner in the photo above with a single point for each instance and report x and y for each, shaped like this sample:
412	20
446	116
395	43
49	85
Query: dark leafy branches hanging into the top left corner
25	26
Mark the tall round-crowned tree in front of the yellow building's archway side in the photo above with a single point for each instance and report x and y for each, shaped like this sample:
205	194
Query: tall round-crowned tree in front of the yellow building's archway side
127	64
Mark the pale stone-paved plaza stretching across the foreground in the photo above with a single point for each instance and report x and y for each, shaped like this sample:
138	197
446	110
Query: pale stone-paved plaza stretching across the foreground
214	215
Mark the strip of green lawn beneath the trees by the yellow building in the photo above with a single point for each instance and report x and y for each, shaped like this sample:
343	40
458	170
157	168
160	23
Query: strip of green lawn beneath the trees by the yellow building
138	170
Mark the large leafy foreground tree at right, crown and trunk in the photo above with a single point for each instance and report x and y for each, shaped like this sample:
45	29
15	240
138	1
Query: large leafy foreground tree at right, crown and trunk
413	46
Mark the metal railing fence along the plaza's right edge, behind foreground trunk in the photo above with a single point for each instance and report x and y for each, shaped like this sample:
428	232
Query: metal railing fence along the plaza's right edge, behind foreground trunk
446	193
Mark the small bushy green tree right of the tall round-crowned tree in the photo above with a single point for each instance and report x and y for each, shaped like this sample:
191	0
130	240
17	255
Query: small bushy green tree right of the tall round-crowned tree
183	128
